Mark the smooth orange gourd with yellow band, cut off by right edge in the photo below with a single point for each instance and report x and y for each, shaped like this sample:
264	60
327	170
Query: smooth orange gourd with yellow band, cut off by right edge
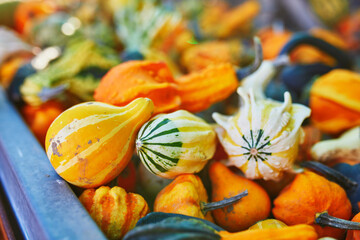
337	92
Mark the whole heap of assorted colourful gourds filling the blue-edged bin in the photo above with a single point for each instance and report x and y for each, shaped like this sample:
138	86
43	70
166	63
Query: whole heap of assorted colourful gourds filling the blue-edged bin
195	119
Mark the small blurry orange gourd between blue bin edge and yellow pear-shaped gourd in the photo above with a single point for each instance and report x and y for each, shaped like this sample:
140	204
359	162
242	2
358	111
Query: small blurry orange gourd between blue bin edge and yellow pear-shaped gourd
39	118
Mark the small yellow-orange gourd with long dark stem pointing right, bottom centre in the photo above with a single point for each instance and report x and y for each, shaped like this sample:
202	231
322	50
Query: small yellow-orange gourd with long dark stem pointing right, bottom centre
187	195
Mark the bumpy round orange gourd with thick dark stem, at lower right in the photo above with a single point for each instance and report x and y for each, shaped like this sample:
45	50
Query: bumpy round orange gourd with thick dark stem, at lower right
310	199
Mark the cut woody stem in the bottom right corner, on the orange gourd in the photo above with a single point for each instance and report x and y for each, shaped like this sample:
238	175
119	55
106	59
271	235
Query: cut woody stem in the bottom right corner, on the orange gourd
324	219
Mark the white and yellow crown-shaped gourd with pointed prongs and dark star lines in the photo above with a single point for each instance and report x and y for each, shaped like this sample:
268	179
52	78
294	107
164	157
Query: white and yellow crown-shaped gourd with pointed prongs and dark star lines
262	138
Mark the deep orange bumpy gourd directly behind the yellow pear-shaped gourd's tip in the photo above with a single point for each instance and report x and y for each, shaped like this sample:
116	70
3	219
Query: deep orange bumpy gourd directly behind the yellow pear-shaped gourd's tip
134	79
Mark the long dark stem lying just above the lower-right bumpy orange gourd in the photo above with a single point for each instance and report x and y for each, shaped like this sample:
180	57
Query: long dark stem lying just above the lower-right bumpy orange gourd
330	174
